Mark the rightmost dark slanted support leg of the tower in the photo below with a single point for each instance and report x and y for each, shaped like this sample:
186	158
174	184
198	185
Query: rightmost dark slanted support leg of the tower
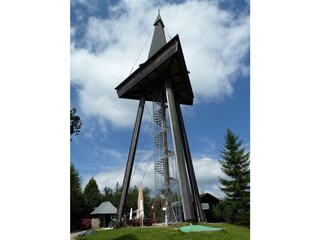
190	169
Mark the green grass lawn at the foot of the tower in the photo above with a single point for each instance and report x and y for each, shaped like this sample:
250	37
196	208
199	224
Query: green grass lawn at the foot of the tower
230	232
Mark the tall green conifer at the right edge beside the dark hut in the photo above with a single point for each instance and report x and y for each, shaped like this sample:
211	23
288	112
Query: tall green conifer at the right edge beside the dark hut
235	163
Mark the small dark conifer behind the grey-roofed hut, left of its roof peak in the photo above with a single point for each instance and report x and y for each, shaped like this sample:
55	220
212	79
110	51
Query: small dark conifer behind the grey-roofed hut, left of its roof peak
92	196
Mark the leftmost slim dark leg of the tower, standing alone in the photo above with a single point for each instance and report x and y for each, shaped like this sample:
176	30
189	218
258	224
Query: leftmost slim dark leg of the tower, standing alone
132	152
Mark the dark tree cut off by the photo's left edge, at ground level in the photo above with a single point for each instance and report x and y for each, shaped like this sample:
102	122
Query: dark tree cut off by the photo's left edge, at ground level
76	197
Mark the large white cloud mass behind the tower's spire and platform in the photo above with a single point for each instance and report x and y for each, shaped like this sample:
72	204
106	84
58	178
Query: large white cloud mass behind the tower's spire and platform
213	44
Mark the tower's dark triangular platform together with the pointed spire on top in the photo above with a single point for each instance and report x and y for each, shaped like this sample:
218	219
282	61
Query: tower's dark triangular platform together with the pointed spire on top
165	61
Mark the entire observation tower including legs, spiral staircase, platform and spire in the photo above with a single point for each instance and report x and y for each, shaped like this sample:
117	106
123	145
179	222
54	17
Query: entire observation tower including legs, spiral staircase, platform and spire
164	80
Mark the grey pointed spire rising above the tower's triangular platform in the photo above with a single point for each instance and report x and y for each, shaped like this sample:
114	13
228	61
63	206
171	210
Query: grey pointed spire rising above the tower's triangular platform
158	39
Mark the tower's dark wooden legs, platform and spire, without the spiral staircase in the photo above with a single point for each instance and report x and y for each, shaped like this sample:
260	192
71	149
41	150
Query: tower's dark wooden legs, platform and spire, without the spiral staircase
164	72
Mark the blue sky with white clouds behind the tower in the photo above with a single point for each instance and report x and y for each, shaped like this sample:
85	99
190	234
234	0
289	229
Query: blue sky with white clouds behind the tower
106	40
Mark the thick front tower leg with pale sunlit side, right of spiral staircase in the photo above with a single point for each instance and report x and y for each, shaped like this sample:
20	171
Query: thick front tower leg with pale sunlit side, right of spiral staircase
186	198
